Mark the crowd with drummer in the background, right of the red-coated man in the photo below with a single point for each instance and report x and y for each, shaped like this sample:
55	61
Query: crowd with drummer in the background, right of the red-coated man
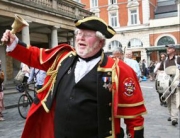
168	62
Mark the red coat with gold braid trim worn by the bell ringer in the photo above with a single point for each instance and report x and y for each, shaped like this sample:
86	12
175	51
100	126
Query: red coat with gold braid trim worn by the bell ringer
127	102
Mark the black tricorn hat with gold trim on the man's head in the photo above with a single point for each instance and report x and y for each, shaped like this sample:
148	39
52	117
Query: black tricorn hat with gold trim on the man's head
96	24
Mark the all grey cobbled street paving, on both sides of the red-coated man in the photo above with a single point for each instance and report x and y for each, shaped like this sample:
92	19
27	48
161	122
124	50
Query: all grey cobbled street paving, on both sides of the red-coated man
156	124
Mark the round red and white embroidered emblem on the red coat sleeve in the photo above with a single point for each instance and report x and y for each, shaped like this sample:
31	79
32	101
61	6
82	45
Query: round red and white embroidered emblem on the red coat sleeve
129	86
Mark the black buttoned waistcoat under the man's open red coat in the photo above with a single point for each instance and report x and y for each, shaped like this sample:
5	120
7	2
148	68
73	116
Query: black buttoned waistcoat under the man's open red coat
72	117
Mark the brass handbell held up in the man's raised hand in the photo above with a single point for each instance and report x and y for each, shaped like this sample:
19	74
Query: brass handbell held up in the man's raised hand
18	24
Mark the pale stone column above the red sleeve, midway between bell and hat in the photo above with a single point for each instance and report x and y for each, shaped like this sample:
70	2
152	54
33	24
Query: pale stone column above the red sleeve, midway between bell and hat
54	36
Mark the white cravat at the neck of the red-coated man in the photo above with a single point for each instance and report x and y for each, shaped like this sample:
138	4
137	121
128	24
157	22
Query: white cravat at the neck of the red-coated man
83	67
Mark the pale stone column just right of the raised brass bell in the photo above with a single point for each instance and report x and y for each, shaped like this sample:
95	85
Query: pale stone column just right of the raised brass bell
25	35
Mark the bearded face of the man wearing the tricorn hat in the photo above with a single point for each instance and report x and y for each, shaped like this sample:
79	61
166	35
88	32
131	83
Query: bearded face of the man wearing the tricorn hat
87	44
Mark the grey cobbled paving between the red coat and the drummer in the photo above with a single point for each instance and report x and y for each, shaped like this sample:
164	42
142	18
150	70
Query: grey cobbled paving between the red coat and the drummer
156	124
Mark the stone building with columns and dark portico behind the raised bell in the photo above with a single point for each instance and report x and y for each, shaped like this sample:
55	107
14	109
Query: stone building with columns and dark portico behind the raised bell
50	22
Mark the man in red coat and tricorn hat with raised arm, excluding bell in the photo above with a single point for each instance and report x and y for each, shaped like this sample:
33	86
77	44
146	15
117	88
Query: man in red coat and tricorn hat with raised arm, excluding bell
85	93
